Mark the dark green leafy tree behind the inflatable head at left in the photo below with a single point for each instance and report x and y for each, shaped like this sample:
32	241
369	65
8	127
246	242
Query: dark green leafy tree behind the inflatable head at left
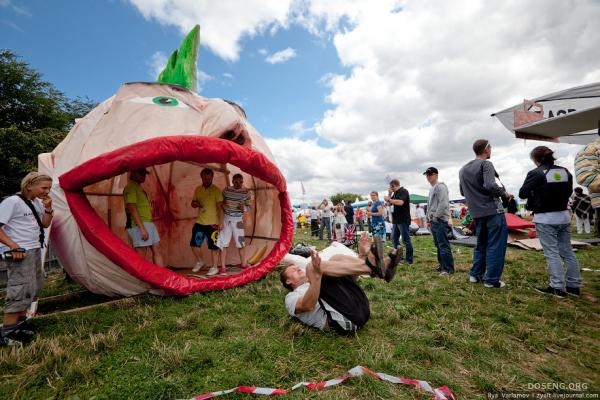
34	118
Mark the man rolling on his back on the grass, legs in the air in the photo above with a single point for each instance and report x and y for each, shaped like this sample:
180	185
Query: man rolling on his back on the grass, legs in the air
326	295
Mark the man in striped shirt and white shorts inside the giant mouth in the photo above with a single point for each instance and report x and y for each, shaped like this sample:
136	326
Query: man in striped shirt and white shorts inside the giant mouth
236	201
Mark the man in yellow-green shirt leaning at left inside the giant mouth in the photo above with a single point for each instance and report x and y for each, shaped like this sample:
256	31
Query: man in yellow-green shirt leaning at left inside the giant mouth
139	226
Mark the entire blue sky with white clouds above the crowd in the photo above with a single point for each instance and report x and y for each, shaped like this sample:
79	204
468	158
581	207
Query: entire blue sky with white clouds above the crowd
346	92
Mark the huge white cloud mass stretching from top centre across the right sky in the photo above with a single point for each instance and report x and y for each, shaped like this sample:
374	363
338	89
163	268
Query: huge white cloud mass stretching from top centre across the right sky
424	77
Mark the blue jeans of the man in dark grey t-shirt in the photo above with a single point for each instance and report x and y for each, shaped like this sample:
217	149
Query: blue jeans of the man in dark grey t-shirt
488	256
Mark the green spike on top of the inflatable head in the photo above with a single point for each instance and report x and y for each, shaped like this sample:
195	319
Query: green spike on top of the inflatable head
181	67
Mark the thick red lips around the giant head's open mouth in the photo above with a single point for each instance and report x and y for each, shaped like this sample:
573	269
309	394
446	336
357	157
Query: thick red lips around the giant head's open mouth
162	150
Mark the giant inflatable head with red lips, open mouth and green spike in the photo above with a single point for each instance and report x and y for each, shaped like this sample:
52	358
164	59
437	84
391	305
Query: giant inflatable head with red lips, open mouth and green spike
168	129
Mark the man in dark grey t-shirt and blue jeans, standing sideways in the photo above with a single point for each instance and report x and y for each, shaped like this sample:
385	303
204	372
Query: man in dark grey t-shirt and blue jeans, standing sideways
484	198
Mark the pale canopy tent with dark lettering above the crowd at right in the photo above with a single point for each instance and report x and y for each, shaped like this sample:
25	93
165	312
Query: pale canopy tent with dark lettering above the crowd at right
568	116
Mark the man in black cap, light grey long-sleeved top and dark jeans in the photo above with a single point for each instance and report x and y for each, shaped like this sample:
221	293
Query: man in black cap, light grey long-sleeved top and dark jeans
438	209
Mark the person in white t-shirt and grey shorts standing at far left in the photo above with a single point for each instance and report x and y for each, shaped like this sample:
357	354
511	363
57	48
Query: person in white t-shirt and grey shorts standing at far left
23	218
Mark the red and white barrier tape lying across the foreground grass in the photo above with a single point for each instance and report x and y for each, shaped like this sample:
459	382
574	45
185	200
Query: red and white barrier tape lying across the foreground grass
440	393
